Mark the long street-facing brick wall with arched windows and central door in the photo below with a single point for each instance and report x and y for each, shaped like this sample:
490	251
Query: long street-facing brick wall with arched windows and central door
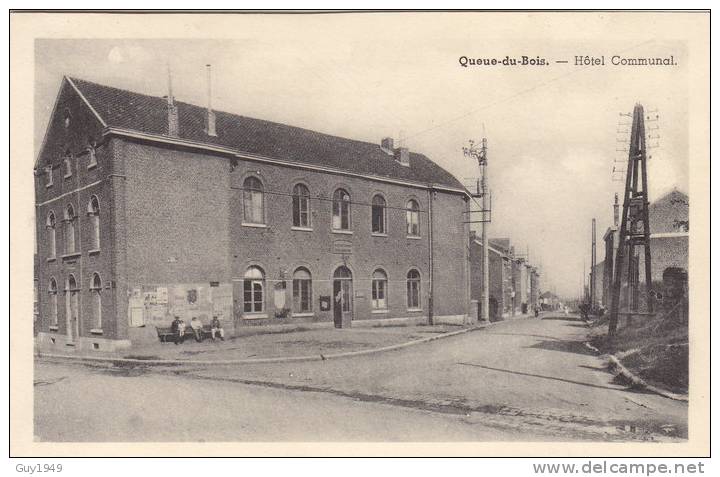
185	228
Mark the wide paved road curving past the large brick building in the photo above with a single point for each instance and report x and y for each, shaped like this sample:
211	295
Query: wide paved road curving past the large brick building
518	380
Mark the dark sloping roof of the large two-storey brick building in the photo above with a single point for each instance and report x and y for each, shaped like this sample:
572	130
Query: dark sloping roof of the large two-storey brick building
149	115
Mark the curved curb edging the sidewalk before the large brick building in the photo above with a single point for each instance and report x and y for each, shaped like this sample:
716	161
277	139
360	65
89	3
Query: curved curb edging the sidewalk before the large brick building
289	359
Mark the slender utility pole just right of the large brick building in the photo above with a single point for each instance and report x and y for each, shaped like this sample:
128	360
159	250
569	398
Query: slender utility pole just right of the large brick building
480	154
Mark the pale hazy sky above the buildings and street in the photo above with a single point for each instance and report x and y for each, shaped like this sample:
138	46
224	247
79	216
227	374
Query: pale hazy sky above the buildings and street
552	130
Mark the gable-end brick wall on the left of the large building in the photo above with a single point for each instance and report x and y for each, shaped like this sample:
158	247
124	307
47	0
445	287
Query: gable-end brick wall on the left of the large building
84	182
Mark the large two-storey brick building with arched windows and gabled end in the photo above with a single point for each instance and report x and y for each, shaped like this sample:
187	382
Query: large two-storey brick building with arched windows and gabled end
149	208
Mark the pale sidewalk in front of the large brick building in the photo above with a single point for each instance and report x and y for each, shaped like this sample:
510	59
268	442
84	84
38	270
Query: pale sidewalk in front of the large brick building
291	343
